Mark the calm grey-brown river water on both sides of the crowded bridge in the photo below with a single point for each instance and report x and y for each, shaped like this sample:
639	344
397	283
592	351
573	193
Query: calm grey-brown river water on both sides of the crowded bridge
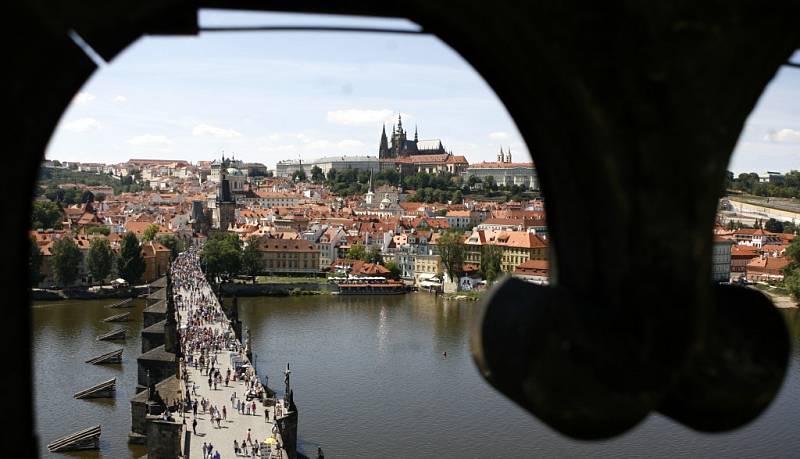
371	380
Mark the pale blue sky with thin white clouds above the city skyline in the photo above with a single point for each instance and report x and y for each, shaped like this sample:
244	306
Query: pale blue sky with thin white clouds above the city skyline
270	96
